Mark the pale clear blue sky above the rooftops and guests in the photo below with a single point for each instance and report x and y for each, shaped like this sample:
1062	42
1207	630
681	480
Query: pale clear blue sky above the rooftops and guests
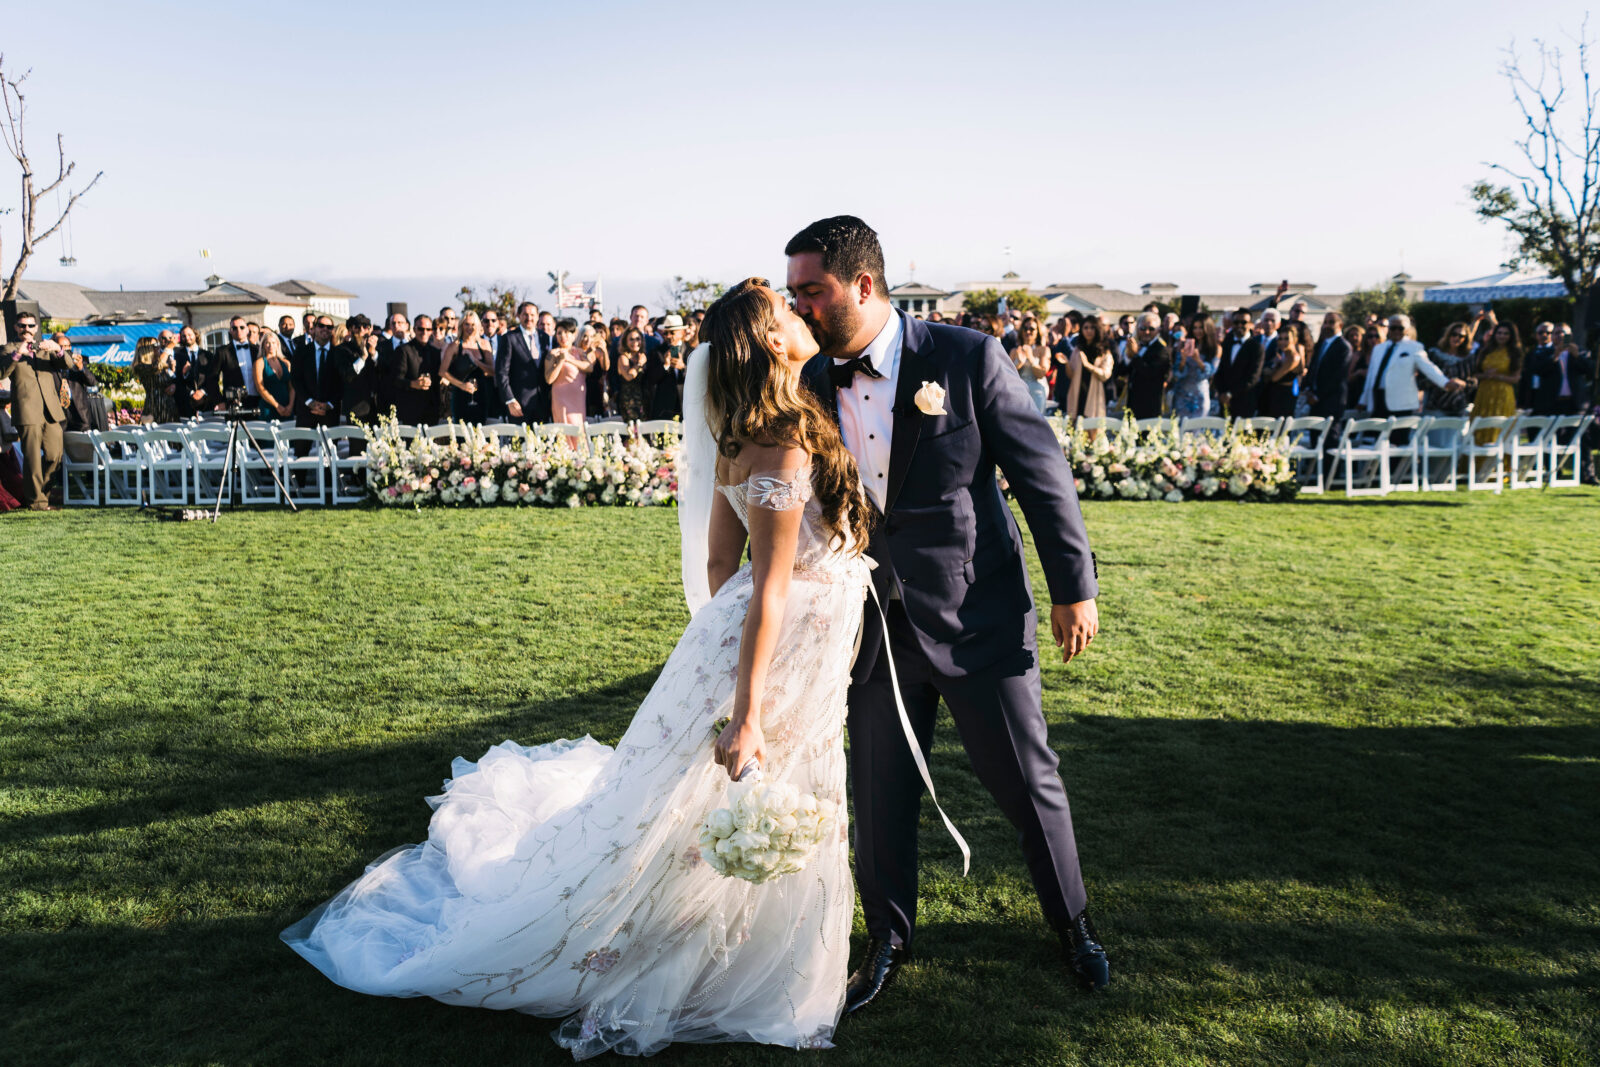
401	150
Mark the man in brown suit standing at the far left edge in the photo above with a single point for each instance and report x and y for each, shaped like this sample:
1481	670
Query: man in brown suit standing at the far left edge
36	370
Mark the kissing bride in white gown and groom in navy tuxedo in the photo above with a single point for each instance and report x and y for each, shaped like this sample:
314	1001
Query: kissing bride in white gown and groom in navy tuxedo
850	452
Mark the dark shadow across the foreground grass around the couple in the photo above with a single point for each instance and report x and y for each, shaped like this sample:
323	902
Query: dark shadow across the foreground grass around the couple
1236	868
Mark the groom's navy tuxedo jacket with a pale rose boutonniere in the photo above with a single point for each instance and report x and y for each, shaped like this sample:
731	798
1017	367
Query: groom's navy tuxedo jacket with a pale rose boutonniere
948	541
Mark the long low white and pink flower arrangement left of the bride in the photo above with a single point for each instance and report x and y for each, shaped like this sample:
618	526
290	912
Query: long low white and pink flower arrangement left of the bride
482	470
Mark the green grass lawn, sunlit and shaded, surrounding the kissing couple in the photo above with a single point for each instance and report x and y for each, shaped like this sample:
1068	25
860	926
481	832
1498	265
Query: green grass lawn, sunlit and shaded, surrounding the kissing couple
1335	773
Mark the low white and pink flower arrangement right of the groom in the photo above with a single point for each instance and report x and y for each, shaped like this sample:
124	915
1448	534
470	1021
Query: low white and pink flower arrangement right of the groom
1166	465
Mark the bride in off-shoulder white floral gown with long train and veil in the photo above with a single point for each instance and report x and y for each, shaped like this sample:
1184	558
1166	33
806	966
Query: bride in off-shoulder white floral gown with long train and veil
566	881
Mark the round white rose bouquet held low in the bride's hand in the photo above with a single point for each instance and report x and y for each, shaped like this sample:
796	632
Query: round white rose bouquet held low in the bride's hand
770	829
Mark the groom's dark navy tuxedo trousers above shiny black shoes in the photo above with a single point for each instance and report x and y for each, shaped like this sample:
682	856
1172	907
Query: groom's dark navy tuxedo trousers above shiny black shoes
1001	721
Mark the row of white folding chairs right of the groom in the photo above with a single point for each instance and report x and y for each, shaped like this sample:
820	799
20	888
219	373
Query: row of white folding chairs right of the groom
1527	452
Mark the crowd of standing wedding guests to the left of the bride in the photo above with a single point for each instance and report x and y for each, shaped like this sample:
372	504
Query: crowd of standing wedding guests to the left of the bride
471	367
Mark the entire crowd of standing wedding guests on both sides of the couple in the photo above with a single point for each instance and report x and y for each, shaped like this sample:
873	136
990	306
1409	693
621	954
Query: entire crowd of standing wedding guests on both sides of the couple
479	367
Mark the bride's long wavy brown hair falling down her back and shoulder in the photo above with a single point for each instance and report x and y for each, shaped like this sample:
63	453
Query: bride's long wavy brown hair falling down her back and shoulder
756	396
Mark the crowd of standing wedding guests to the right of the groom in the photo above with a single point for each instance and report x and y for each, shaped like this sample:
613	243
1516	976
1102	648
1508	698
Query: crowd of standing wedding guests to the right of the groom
1279	366
